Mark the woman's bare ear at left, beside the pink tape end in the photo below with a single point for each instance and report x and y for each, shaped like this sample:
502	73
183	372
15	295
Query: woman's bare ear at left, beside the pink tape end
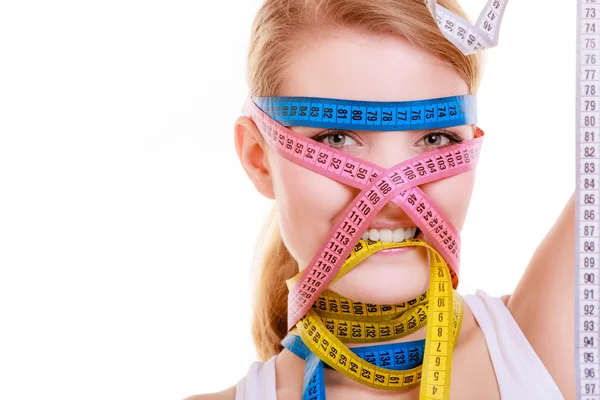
250	147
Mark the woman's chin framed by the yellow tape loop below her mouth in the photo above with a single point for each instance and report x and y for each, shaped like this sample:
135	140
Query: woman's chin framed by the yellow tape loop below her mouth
379	281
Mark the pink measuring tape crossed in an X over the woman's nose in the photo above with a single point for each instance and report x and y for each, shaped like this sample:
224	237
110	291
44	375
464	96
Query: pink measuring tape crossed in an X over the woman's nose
398	184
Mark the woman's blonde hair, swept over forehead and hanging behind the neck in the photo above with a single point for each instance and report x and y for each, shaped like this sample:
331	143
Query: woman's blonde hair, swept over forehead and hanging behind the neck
277	27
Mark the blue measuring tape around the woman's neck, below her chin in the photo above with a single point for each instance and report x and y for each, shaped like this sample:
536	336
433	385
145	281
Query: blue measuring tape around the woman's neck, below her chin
396	356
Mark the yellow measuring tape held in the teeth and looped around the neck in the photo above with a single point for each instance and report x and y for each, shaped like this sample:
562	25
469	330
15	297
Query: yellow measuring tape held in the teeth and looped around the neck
334	320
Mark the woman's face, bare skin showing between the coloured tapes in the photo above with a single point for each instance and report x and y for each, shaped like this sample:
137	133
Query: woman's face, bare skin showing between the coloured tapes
354	65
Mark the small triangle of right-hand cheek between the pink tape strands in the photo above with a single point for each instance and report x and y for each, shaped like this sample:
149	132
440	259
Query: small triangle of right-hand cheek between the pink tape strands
452	195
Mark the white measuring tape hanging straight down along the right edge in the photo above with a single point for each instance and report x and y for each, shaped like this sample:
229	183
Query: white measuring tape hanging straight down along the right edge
587	290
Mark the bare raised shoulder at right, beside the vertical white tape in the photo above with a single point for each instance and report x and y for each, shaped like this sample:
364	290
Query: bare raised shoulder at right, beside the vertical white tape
543	302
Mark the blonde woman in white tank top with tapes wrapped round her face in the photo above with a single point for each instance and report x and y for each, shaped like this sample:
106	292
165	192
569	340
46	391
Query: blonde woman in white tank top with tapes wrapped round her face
386	51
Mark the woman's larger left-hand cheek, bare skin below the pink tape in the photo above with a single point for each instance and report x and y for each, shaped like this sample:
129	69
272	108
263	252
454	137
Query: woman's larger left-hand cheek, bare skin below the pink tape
308	204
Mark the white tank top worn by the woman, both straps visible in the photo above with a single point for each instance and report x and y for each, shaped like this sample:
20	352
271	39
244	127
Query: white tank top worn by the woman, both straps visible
519	371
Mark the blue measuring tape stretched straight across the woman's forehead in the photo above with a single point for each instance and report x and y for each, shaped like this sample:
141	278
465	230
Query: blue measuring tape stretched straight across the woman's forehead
321	112
